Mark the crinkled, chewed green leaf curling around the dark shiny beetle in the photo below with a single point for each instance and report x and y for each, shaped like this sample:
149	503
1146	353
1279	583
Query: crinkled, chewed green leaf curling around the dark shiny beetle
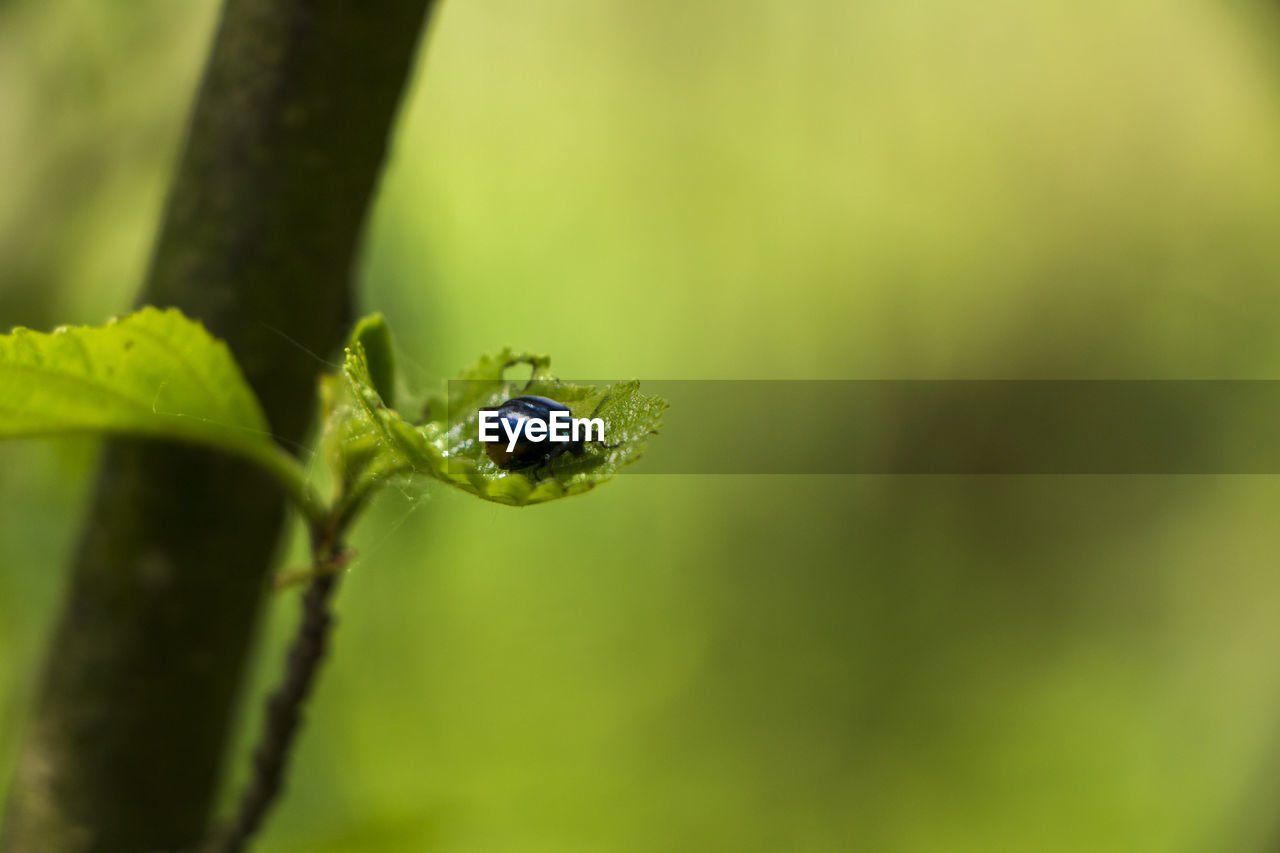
371	443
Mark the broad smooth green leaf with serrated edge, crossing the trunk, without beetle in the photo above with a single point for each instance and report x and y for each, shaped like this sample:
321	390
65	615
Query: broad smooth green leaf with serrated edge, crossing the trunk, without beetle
154	373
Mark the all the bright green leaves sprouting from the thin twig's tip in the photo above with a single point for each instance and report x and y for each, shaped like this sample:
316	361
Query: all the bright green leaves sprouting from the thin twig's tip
159	375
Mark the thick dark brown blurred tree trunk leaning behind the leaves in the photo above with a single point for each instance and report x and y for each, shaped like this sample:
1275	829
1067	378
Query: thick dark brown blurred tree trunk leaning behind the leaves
259	239
